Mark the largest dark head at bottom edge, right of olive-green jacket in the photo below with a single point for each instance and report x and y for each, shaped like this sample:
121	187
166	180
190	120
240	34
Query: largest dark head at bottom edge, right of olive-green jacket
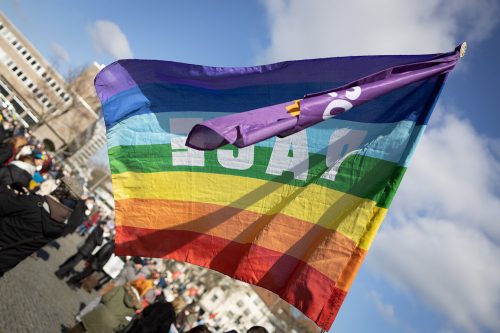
156	318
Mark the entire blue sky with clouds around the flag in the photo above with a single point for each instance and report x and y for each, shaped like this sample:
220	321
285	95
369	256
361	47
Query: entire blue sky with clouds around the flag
434	265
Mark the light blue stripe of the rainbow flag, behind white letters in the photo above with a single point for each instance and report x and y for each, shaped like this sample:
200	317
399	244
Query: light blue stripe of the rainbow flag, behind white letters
389	141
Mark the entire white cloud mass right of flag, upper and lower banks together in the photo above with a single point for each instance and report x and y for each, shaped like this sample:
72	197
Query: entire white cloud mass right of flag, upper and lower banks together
441	241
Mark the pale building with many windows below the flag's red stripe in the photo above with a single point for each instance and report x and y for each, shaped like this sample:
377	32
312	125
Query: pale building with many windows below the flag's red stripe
229	304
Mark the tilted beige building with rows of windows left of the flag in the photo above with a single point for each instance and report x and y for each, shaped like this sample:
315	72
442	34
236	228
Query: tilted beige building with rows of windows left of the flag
57	112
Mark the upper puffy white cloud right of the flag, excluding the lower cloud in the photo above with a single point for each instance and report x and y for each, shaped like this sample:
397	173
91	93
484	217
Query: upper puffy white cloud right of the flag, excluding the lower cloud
455	176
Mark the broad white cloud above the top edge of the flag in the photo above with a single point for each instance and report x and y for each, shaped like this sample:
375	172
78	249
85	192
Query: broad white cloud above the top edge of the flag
325	28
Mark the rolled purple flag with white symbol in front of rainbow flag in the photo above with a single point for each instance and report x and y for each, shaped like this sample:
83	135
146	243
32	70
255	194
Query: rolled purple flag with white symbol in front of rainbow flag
247	128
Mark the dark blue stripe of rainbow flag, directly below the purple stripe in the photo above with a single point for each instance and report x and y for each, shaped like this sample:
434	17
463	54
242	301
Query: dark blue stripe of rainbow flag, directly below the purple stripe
402	104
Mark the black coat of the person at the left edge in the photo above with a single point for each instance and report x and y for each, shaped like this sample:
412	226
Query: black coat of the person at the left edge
25	226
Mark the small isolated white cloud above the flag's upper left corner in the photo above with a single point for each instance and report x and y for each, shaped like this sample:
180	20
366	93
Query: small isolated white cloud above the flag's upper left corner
108	38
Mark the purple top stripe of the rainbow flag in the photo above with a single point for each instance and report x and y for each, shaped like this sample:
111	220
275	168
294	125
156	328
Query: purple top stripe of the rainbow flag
125	74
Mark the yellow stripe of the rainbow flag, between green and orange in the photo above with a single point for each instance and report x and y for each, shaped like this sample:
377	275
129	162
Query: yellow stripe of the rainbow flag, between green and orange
354	217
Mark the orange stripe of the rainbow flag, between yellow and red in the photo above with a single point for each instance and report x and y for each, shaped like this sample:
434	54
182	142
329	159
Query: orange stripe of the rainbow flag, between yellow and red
325	250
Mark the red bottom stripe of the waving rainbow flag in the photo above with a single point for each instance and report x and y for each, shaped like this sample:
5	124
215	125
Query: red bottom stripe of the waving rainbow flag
293	280
